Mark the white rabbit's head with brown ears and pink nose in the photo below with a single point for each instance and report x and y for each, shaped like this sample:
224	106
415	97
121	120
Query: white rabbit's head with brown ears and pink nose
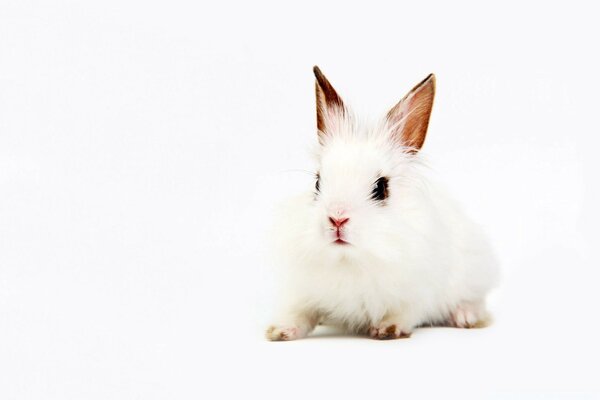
365	174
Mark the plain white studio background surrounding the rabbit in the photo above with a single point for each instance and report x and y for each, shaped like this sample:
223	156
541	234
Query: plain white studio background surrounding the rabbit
143	146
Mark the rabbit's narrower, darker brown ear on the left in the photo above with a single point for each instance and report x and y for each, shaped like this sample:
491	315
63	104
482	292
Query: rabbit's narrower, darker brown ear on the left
329	103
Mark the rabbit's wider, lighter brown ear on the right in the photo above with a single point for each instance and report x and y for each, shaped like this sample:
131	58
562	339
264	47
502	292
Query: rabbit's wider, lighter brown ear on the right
410	117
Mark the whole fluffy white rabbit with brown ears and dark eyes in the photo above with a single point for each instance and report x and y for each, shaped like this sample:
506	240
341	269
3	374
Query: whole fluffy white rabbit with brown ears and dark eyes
376	247
